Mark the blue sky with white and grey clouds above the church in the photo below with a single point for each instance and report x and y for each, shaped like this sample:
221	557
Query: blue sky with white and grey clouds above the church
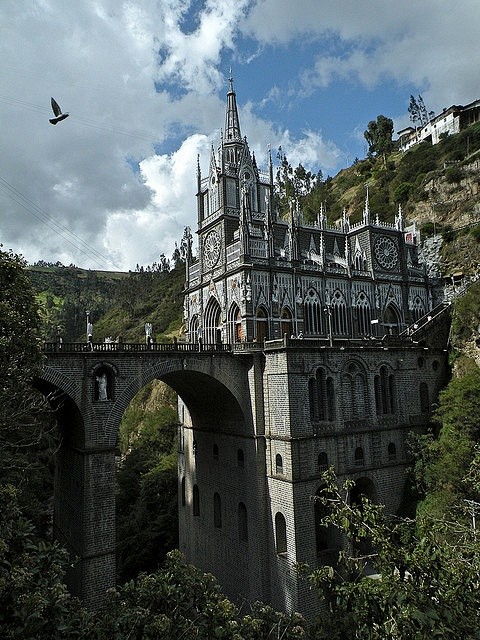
145	84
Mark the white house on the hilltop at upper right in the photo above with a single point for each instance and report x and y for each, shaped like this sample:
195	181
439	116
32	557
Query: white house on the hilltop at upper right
450	121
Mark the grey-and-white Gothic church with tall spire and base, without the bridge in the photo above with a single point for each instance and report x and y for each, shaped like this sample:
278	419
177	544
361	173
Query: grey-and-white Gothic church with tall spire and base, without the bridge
331	317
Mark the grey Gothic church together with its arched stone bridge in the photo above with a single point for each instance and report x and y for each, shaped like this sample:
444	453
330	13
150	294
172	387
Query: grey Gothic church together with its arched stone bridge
308	347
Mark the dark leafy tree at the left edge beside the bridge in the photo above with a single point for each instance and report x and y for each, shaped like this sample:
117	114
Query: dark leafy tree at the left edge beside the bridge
26	426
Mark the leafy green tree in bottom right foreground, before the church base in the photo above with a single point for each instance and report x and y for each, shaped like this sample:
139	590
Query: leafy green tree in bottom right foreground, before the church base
427	575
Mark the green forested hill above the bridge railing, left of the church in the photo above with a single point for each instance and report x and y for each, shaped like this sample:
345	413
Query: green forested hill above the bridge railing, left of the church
119	303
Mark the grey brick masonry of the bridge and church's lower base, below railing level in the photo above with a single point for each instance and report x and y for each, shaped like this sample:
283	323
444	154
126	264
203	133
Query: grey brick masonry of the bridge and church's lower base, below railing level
259	404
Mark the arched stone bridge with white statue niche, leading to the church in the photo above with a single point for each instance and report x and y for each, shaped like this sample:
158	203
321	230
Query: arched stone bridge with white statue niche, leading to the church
90	387
